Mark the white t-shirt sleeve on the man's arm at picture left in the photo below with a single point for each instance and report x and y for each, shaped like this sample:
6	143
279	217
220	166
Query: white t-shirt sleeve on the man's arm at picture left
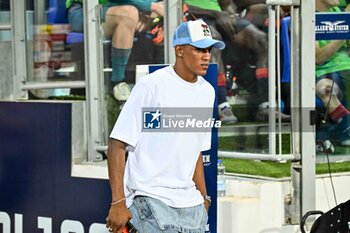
129	123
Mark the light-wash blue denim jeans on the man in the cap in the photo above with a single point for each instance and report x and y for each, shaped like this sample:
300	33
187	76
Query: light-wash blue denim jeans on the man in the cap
152	216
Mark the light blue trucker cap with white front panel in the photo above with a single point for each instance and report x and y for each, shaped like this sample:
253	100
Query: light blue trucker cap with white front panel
197	34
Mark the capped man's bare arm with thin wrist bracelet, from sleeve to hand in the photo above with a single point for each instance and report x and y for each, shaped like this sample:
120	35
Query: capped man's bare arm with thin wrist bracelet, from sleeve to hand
118	214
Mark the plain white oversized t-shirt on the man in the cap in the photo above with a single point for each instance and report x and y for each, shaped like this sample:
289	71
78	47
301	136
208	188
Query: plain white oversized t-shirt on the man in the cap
161	164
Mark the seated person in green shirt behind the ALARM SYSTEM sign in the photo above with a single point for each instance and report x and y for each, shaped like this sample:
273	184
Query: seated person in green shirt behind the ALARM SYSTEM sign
333	75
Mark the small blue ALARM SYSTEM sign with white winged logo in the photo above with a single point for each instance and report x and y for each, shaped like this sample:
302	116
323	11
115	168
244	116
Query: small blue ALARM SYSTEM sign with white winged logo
332	26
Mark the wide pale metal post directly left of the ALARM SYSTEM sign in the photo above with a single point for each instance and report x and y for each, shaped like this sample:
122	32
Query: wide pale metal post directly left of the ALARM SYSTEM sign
307	90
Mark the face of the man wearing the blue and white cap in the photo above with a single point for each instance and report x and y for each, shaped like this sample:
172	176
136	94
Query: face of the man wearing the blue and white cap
196	60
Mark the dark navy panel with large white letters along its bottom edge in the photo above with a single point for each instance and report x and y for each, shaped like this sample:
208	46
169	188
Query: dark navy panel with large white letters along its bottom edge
38	193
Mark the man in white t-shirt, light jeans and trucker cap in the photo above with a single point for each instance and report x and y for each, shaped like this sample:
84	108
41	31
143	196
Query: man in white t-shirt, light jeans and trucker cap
161	187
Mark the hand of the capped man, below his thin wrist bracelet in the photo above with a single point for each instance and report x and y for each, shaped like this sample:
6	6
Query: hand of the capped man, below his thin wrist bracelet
117	218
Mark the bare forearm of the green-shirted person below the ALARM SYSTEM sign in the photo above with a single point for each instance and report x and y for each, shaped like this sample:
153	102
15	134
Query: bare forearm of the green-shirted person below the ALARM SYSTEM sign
325	52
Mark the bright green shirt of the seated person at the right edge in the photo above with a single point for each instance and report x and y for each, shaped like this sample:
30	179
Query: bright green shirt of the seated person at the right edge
338	62
